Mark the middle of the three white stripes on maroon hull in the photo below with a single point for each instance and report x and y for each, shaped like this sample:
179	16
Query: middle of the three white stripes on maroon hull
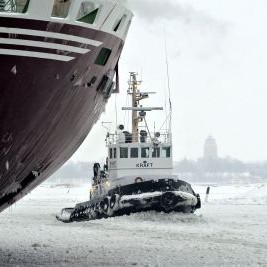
44	45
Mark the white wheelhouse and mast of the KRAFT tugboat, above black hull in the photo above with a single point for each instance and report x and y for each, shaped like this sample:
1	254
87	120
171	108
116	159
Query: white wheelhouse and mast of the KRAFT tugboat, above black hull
140	154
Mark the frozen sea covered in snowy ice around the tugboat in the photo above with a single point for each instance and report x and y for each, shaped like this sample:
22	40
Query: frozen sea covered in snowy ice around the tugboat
229	230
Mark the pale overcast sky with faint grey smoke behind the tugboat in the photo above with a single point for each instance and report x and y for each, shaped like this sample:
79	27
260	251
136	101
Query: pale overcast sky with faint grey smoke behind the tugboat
218	62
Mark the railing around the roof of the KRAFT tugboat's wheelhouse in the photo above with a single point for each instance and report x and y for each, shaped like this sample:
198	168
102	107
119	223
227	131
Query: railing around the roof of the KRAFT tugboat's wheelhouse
164	137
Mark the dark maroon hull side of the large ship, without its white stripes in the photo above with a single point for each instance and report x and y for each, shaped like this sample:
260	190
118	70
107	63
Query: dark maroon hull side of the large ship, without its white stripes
47	107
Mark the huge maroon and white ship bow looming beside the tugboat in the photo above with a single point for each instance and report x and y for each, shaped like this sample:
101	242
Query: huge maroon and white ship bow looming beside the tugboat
58	68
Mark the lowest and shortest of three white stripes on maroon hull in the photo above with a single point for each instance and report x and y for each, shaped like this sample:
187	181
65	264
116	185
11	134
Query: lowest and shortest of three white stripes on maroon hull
22	53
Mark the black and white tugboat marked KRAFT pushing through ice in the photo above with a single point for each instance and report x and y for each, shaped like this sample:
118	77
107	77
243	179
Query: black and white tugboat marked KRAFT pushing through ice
137	175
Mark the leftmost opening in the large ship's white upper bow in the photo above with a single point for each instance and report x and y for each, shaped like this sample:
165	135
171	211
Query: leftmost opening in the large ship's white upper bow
14	6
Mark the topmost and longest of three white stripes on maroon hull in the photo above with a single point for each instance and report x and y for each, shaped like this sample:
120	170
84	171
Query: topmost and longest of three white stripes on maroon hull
54	35
